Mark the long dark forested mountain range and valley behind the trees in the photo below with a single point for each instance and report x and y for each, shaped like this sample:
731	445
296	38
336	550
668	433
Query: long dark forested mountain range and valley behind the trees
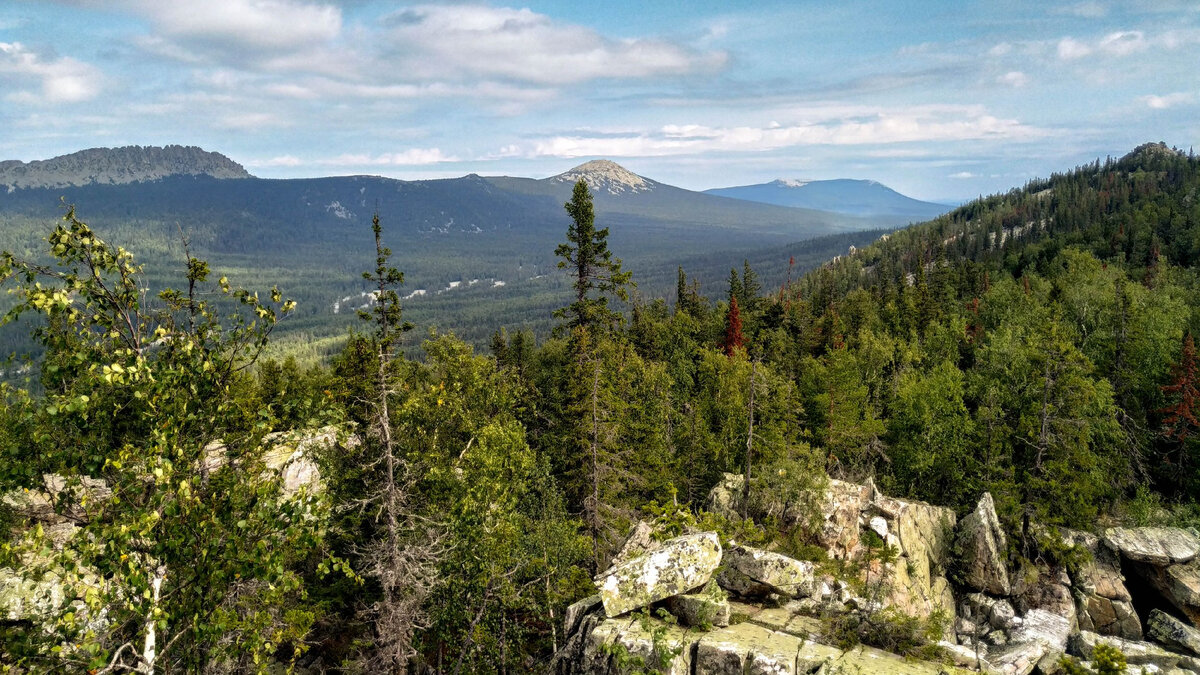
477	252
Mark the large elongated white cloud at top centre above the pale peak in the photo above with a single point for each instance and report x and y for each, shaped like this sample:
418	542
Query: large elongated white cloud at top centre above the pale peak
479	41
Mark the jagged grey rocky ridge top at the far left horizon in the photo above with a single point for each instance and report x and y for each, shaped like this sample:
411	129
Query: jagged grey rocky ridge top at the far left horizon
118	166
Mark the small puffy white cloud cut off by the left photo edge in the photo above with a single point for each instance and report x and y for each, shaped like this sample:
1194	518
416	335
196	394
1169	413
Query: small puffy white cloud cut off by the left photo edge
62	81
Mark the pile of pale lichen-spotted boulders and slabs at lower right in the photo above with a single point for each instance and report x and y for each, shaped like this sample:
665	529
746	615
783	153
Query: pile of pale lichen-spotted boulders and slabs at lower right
698	606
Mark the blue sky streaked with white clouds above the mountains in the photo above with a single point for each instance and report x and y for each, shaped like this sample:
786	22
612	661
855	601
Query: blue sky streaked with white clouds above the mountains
941	100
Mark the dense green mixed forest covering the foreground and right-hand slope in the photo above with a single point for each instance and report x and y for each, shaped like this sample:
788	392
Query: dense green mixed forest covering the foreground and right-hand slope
1037	345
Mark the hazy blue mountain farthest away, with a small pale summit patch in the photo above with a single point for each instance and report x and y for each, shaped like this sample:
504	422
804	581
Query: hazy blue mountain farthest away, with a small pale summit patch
863	199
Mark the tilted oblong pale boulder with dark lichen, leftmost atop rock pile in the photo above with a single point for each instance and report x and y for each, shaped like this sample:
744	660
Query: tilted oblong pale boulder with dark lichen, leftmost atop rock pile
679	566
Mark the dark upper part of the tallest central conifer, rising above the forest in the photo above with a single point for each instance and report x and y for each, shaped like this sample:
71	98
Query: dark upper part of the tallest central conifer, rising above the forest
597	273
